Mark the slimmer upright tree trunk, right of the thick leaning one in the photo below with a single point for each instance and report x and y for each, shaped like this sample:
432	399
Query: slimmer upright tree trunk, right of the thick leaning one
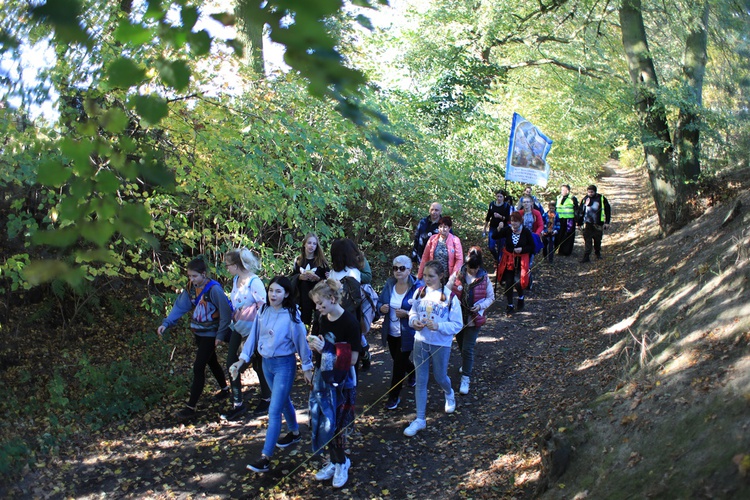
687	132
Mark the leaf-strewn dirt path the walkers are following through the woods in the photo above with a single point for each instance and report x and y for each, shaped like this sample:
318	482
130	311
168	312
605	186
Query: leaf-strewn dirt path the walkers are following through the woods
535	371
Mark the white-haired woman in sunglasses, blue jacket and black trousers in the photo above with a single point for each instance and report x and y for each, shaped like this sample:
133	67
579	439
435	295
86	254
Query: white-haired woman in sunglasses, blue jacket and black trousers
395	303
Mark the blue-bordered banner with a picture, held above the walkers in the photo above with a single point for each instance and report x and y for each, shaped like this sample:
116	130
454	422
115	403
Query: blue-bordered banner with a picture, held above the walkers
527	153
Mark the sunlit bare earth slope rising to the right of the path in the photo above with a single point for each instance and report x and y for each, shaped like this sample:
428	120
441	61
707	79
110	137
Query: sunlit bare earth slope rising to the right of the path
677	423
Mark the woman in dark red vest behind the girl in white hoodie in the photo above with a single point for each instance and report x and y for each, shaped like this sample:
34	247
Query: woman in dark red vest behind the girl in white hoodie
474	290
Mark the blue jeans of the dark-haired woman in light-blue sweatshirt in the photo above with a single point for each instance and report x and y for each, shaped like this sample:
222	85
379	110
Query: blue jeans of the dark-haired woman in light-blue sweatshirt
279	374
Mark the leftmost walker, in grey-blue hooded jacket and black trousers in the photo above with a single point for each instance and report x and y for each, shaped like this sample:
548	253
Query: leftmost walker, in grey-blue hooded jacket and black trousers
211	313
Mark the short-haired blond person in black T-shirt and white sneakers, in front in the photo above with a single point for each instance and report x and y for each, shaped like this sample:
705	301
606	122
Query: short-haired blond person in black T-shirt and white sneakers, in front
334	384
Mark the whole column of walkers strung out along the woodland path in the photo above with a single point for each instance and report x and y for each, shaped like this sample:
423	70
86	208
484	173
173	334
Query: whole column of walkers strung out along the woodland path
318	313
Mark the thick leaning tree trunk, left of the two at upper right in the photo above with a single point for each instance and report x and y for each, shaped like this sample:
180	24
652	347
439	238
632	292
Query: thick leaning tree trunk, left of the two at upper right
657	144
